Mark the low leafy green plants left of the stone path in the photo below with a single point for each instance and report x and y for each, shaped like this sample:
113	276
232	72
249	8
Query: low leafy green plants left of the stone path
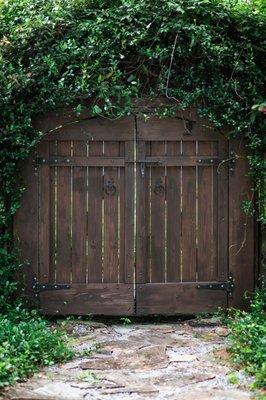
27	343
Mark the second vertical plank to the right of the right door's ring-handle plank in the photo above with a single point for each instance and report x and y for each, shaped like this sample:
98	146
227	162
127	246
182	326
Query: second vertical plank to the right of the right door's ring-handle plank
189	216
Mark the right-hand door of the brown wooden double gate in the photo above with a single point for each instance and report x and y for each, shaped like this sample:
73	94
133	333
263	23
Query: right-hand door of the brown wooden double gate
182	218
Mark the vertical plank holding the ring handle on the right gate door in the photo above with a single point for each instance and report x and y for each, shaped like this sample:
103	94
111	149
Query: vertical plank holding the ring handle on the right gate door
157	216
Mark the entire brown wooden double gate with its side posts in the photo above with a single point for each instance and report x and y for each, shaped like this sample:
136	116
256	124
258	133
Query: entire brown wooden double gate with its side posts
131	218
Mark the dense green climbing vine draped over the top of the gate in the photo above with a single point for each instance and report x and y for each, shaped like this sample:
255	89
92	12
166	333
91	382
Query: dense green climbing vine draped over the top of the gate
58	53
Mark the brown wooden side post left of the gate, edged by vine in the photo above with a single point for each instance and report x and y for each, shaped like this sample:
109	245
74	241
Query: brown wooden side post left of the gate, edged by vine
26	223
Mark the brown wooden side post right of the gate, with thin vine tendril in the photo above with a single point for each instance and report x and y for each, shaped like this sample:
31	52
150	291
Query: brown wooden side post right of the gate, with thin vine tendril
241	227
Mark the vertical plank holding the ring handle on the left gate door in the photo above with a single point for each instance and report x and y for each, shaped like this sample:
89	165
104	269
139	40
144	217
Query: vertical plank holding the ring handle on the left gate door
110	261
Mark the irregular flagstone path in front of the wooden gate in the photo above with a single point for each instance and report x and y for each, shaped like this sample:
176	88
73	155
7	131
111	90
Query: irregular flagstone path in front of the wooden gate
170	361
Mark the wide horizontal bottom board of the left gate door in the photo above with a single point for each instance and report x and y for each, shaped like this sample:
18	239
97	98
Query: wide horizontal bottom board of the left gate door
82	299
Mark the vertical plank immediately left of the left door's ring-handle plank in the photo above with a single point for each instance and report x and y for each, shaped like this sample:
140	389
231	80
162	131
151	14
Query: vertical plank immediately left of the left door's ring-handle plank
95	196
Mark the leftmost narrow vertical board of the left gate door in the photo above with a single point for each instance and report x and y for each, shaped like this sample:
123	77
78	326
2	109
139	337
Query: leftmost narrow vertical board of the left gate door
44	216
